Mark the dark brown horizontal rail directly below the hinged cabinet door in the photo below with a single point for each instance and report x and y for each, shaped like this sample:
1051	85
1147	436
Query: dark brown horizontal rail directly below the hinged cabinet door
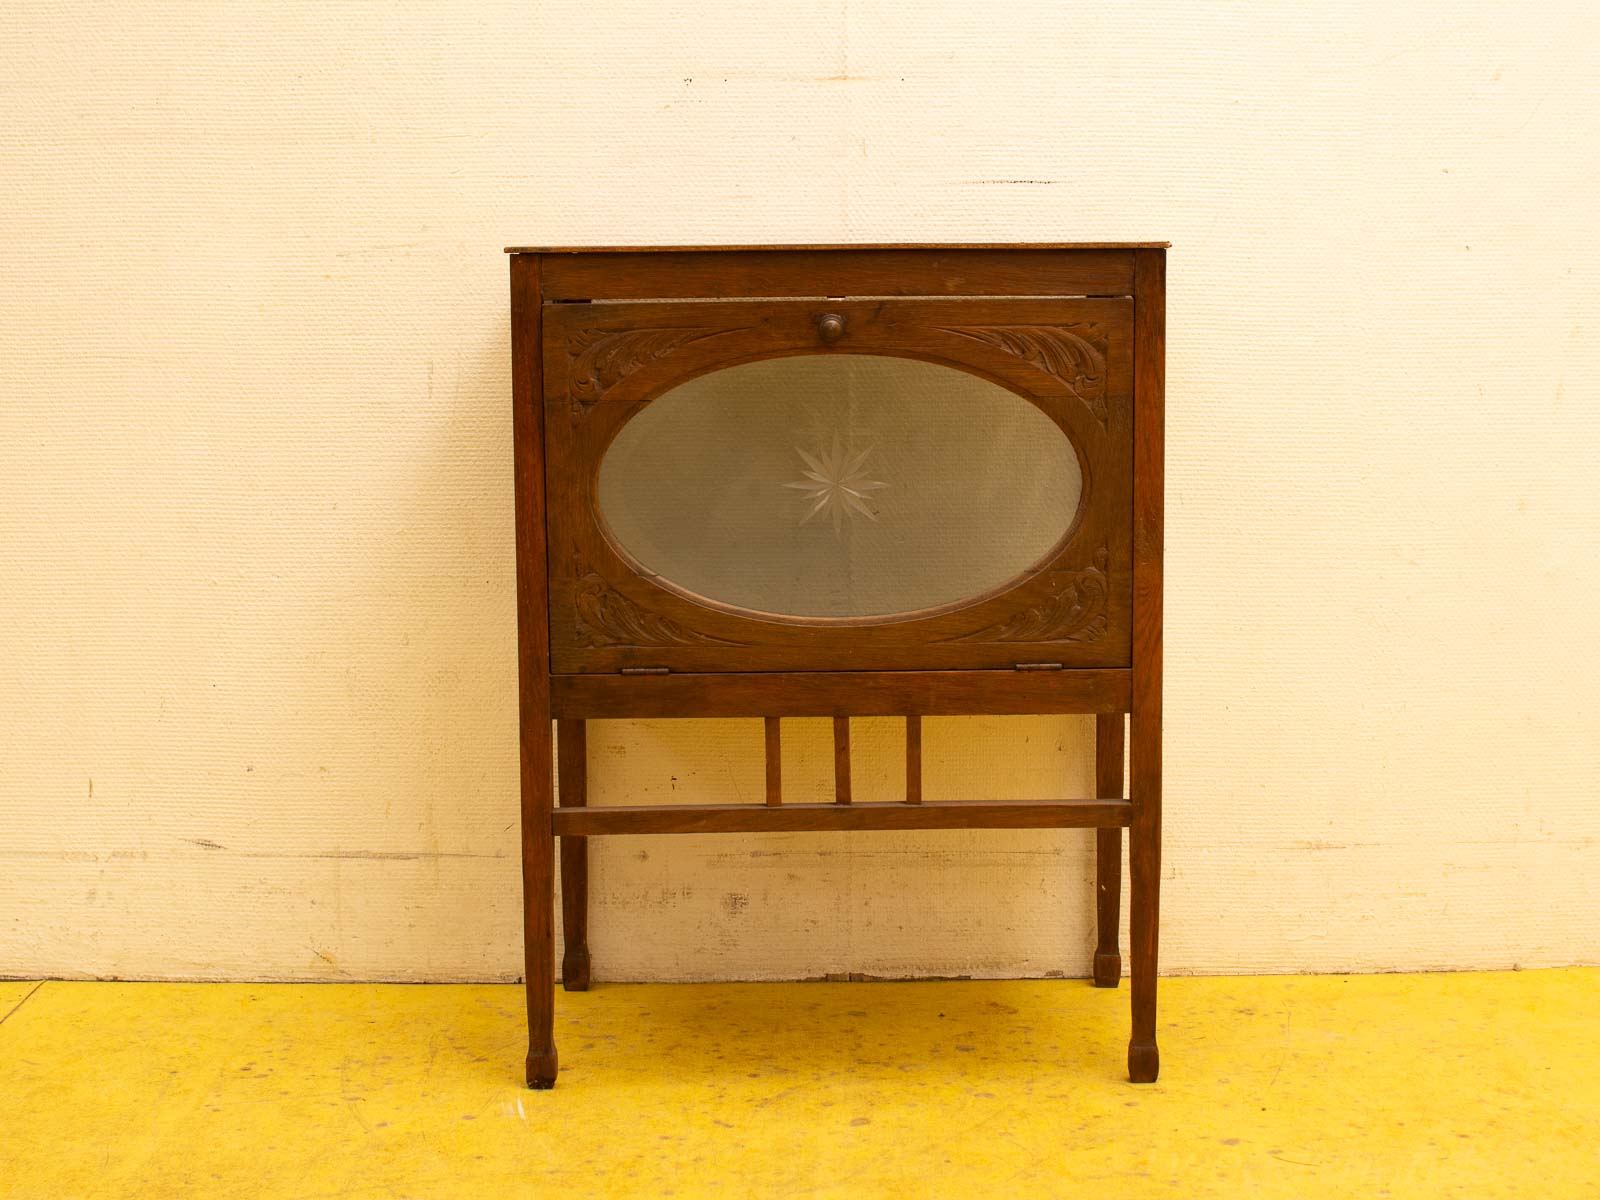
842	694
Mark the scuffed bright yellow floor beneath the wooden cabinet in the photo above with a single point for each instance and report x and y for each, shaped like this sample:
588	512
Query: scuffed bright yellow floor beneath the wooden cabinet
1446	1086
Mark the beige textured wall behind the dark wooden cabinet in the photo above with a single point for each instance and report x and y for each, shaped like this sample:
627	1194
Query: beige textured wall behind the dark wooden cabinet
257	626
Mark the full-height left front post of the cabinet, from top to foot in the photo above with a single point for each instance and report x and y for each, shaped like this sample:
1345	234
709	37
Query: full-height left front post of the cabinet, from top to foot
534	674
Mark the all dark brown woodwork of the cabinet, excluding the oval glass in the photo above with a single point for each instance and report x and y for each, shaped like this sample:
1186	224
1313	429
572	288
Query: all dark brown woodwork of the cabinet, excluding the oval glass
1078	330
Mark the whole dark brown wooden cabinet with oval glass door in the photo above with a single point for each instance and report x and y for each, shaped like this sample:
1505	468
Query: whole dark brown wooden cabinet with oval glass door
839	481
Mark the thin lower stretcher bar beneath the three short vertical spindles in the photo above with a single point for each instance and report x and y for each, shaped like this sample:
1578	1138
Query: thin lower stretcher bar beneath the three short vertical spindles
612	820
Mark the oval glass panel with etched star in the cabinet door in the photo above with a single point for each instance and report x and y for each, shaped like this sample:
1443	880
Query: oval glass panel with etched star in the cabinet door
839	486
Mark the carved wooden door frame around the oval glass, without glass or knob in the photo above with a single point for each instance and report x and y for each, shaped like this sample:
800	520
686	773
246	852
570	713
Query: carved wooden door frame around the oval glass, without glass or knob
1071	358
